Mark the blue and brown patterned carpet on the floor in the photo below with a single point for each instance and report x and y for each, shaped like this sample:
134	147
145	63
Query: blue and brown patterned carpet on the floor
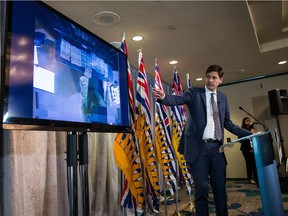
243	199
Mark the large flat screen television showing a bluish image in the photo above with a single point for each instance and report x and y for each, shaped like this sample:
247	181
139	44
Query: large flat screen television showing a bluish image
58	75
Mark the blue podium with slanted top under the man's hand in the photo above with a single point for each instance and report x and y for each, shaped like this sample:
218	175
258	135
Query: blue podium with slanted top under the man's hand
267	172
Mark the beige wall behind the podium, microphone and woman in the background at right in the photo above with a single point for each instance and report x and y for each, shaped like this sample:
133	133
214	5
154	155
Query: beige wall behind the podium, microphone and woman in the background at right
253	97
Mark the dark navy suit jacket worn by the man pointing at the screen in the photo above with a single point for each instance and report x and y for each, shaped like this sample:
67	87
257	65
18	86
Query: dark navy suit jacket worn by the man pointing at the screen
191	142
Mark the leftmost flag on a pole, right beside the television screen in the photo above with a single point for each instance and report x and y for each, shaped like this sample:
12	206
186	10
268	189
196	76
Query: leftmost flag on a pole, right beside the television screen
127	156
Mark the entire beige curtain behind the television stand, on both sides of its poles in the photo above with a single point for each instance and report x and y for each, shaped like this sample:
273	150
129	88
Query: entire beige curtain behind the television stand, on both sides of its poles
34	174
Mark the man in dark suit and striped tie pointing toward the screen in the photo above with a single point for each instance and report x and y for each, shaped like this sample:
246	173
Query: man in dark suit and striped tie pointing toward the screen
202	137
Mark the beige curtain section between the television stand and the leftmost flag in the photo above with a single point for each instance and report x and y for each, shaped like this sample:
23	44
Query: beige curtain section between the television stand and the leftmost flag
105	175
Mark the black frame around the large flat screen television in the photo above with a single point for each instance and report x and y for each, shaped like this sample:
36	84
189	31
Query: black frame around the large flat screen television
32	123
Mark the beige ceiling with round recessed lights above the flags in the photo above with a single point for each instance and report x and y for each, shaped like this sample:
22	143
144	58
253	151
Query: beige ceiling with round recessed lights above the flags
247	39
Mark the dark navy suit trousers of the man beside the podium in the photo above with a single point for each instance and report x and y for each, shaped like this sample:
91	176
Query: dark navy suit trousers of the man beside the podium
210	163
